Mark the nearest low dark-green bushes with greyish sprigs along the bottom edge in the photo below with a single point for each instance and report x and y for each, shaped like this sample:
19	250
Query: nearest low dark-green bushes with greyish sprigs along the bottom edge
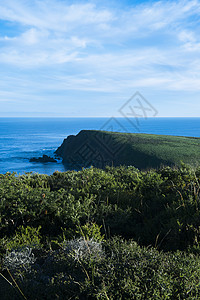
122	270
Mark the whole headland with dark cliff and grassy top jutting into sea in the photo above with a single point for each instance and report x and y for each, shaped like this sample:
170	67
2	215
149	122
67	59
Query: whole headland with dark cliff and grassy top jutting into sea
101	148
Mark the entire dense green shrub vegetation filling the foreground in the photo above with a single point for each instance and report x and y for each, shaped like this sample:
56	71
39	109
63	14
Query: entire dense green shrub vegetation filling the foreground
117	233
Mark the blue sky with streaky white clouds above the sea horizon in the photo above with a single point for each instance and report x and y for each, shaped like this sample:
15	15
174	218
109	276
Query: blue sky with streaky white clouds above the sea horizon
87	58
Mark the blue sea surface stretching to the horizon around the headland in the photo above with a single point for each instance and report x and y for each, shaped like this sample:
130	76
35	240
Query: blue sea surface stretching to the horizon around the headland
24	138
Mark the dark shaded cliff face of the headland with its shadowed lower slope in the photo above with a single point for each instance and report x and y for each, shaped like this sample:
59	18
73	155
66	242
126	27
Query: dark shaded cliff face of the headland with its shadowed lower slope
101	148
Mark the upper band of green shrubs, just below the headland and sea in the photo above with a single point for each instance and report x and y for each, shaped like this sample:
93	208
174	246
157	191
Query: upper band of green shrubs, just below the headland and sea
155	207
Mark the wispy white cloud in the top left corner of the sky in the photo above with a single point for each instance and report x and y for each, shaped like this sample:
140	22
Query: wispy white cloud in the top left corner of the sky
51	14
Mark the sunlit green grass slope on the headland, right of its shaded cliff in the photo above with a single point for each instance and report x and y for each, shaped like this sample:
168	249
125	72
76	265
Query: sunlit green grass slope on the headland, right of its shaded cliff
149	150
